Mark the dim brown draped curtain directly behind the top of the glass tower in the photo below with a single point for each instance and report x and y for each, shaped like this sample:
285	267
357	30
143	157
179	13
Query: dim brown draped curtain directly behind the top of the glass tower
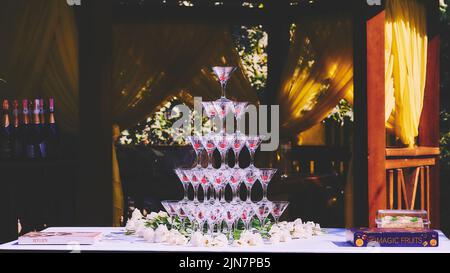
153	62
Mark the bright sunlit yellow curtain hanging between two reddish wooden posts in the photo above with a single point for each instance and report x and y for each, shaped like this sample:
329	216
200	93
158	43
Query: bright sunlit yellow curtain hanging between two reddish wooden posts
406	60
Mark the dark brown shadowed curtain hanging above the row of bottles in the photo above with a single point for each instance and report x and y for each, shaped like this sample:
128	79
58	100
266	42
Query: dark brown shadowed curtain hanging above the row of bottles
40	57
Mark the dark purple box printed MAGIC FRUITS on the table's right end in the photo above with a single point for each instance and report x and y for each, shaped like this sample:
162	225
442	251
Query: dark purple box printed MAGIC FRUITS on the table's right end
383	237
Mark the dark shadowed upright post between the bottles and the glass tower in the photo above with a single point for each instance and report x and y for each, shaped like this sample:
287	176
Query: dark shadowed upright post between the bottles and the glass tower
94	191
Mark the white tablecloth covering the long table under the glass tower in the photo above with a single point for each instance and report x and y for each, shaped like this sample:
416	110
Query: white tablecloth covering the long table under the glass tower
115	240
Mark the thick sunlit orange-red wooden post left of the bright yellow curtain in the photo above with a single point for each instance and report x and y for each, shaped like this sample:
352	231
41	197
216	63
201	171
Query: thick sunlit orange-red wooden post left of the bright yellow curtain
370	133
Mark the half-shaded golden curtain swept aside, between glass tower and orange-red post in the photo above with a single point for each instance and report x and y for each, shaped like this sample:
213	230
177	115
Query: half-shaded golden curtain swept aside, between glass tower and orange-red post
319	72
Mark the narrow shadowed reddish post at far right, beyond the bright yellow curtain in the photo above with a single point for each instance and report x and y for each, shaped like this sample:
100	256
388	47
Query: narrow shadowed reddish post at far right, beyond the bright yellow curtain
429	133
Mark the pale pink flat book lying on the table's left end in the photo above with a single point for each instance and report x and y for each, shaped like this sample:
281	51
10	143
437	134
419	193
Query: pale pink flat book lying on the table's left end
60	238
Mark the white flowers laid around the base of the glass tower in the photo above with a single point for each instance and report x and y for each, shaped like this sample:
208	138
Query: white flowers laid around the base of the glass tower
162	228
